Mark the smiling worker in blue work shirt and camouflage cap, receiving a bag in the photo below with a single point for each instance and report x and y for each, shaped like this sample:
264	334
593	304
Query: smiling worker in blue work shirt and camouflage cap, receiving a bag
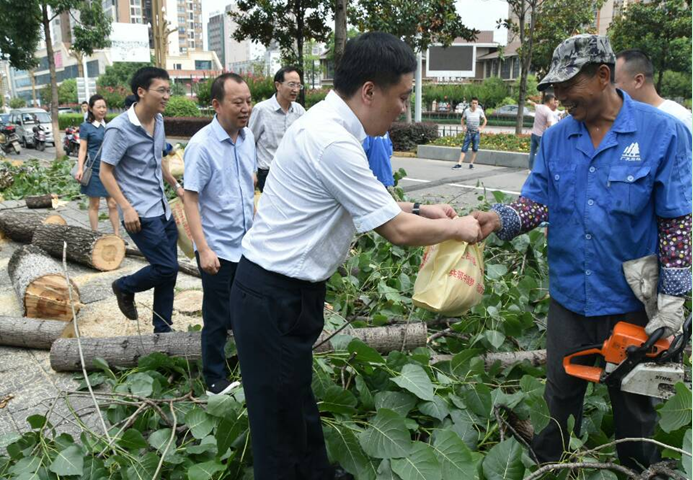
614	182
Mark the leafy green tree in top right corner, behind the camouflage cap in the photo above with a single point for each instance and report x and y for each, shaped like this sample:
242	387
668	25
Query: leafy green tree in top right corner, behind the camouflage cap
661	29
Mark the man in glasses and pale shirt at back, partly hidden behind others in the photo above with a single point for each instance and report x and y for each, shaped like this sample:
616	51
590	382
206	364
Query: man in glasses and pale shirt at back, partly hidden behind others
271	118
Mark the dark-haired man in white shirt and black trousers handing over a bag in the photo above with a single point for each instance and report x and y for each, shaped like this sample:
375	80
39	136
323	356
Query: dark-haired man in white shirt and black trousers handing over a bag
320	193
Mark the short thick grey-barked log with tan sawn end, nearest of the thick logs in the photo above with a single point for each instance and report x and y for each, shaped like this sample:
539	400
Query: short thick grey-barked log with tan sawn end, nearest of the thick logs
40	285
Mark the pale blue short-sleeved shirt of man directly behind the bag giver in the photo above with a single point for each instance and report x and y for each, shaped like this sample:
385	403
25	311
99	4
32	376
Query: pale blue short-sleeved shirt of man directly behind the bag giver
221	172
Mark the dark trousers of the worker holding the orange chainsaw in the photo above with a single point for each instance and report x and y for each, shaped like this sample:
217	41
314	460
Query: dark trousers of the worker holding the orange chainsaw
634	415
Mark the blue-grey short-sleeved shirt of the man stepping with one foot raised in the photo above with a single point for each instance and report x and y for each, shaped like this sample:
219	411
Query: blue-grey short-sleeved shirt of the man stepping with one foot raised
136	158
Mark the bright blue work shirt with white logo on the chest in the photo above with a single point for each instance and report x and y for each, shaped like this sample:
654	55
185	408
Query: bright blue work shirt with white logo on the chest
603	202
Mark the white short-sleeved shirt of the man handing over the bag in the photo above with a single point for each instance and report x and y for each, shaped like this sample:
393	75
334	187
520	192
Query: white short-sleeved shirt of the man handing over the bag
319	192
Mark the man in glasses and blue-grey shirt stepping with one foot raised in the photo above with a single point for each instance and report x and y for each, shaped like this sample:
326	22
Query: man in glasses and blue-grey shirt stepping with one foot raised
132	172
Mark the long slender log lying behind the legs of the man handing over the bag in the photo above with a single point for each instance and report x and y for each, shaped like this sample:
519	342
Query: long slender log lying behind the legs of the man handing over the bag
126	351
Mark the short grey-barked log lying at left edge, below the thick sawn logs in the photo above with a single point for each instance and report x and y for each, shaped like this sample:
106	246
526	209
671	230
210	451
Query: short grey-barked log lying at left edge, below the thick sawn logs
30	332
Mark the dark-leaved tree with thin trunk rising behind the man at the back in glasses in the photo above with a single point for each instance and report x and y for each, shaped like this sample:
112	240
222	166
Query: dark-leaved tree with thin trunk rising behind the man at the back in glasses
288	23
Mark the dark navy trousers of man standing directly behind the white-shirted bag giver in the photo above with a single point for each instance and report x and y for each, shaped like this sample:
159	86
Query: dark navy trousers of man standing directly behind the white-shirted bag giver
216	312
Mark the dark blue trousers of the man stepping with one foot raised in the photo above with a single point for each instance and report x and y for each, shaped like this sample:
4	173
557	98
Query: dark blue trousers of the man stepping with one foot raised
157	241
